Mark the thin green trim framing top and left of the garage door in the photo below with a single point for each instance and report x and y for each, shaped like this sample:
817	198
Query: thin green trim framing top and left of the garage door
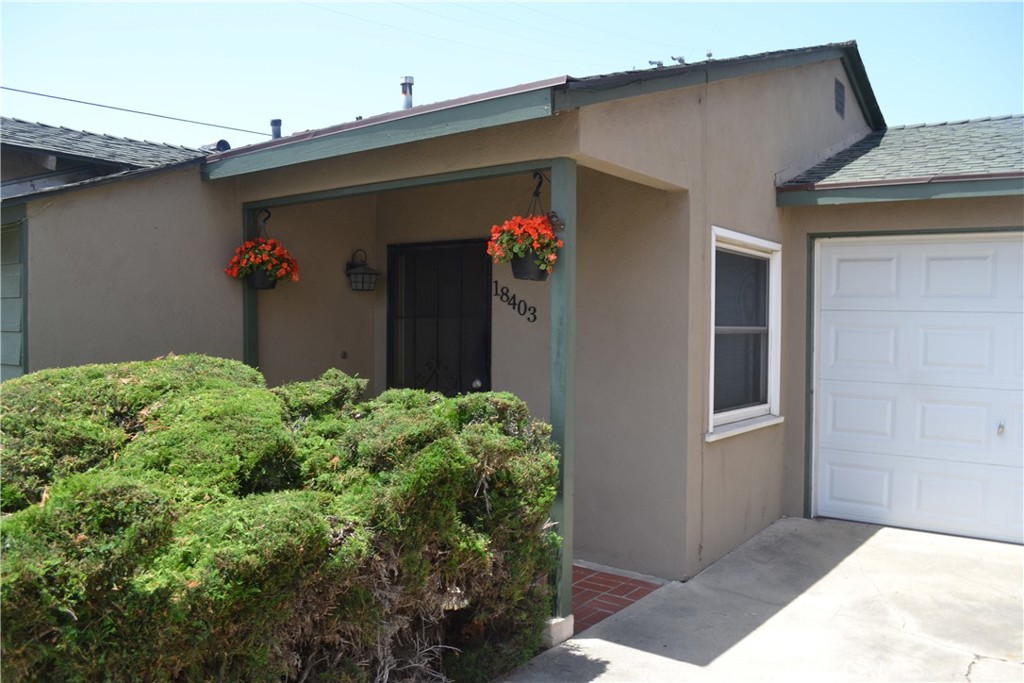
812	311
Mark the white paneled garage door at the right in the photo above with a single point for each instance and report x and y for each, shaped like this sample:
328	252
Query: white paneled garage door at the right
919	387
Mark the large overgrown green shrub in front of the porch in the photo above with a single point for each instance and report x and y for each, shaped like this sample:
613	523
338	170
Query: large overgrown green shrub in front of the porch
176	521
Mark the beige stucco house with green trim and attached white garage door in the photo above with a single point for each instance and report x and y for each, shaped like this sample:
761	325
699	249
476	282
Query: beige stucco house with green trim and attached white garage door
770	304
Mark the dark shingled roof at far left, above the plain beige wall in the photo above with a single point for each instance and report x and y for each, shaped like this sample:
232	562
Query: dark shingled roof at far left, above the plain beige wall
83	145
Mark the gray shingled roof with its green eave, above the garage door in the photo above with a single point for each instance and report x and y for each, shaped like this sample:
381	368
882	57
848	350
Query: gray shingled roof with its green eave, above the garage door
961	158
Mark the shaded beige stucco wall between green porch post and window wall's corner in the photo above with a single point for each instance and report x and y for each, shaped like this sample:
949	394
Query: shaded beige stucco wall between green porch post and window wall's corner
631	375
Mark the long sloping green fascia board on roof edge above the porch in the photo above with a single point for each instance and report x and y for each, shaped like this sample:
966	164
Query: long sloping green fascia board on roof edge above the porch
475	116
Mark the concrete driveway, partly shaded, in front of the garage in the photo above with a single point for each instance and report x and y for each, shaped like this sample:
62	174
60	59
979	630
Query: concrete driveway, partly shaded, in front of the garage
817	601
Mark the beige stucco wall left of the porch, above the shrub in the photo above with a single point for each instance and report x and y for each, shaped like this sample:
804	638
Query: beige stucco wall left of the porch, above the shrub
134	270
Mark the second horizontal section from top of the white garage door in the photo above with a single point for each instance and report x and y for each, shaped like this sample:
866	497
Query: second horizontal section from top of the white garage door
977	350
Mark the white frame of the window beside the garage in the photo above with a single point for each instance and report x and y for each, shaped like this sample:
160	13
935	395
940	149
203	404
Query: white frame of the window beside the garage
751	417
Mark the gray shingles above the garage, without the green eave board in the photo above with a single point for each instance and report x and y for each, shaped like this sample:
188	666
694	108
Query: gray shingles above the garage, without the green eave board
977	148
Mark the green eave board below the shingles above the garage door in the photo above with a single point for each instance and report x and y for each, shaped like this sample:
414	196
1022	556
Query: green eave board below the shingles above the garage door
997	185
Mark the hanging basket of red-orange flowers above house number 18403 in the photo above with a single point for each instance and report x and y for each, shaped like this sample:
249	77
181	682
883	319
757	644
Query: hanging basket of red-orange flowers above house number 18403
530	239
